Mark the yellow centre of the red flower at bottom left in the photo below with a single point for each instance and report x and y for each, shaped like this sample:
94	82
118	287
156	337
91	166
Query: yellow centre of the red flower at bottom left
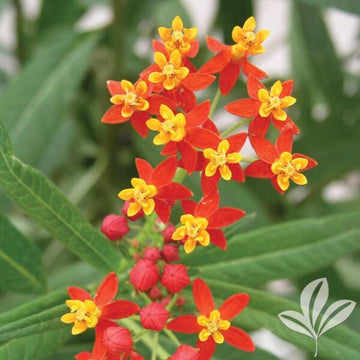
84	315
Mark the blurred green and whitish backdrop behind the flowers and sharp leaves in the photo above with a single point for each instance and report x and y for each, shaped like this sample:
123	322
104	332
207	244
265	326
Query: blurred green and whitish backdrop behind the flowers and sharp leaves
53	95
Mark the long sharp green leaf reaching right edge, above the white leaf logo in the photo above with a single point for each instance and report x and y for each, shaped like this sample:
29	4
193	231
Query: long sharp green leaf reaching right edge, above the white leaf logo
294	248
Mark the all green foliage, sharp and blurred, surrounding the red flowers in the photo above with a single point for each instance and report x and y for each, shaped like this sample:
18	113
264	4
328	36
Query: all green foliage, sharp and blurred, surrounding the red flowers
51	109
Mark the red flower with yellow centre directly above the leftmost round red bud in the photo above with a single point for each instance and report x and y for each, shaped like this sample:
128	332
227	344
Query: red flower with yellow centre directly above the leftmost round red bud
153	190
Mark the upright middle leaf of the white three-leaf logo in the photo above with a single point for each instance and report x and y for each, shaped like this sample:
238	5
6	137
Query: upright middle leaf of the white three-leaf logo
319	301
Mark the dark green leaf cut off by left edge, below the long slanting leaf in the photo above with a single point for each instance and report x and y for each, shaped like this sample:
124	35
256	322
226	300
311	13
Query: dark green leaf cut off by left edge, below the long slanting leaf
21	266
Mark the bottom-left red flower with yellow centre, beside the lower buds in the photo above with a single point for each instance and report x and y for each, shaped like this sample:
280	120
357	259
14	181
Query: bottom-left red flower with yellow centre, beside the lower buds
86	311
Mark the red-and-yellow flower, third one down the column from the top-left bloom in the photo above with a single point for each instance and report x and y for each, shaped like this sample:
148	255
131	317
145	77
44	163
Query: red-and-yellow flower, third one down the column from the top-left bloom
179	132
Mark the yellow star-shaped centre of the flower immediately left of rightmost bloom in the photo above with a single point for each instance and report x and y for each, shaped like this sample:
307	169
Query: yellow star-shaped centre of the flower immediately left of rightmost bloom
219	159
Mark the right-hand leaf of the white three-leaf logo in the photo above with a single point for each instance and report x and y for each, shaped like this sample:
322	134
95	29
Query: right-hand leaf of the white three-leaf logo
340	317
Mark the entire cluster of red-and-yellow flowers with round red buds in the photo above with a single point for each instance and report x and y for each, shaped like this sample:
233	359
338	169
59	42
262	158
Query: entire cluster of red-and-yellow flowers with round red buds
163	101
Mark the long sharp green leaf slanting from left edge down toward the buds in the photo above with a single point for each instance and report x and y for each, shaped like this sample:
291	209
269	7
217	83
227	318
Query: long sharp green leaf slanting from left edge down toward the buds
48	206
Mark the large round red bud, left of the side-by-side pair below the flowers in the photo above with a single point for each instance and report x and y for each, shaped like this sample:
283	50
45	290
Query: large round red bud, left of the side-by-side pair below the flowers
144	275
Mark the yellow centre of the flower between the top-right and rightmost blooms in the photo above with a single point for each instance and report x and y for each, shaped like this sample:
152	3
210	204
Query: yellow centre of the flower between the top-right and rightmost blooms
274	104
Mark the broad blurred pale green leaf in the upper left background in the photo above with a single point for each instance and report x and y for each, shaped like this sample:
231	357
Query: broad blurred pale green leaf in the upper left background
36	99
